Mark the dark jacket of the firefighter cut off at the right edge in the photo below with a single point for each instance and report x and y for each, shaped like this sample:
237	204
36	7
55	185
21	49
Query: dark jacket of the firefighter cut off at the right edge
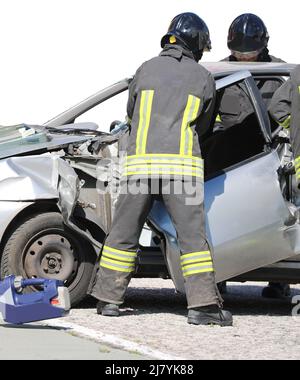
285	109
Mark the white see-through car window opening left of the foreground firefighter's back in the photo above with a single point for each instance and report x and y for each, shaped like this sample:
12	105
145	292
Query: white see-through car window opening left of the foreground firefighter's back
107	112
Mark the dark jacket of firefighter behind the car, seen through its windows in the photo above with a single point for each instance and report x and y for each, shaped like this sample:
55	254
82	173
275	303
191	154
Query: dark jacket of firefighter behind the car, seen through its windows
235	105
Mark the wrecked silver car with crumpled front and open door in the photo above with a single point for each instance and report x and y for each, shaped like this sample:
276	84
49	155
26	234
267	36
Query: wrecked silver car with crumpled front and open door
56	203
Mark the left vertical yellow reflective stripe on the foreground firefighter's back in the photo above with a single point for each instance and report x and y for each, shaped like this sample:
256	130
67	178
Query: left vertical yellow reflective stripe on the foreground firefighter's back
144	121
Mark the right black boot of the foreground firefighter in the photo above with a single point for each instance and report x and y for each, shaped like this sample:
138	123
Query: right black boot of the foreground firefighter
210	315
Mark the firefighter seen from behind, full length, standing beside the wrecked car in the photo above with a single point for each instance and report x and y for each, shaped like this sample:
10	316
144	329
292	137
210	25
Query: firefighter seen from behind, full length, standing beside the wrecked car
171	103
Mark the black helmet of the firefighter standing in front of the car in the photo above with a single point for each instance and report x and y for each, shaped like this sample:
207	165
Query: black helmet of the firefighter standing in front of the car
191	31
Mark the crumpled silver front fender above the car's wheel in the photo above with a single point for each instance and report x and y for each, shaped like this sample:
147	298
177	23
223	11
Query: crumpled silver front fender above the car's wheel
26	180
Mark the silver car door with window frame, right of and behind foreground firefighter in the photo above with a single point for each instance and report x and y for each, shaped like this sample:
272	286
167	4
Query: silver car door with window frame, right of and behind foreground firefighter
248	219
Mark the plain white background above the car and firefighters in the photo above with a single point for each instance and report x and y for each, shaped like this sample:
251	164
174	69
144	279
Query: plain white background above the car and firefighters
55	53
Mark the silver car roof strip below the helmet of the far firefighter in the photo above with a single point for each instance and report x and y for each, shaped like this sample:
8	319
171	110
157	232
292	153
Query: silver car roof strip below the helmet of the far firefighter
260	68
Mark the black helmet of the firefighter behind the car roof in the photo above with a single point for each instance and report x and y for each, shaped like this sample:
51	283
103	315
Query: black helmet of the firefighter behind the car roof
247	33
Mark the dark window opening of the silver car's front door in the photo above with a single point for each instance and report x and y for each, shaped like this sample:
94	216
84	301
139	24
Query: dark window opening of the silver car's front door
237	134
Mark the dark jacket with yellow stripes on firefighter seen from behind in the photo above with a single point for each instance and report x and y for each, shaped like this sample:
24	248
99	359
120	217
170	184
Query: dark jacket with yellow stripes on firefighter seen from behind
170	106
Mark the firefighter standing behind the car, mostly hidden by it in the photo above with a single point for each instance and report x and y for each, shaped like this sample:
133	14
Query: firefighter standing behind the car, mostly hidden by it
248	39
